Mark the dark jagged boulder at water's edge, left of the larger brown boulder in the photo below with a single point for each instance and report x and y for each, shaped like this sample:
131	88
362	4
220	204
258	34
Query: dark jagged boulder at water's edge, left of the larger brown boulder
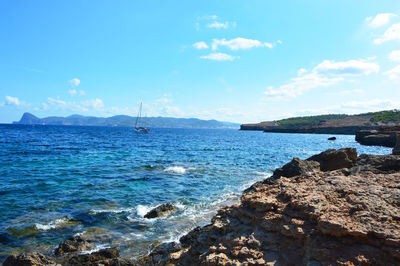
296	167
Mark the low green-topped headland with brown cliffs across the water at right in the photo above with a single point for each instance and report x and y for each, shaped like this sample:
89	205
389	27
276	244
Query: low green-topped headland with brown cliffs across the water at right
330	124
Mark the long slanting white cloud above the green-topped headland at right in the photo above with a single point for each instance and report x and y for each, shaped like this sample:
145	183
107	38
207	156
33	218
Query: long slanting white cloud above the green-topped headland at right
323	75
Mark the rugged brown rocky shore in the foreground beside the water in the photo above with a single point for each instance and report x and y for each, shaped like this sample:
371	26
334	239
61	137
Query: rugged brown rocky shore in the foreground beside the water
335	208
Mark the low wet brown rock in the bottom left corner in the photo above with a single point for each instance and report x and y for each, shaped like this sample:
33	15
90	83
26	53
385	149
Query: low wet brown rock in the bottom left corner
29	259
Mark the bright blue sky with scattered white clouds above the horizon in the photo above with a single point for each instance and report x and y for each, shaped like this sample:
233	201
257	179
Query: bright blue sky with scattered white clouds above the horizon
237	61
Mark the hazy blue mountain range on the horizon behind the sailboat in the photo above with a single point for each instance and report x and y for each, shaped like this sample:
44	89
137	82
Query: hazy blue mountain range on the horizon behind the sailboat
124	120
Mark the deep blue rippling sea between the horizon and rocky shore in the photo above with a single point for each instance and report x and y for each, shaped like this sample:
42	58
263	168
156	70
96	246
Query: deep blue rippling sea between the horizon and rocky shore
58	181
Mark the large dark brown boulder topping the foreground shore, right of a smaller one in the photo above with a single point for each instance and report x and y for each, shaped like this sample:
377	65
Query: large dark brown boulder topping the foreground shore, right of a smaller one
335	159
